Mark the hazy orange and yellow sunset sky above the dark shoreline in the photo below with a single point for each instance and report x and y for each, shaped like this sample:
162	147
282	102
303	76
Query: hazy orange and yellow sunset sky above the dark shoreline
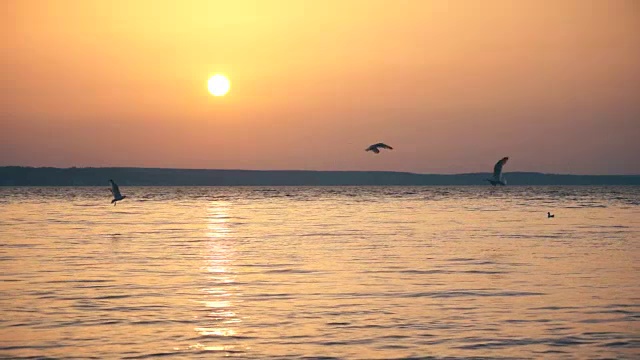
452	85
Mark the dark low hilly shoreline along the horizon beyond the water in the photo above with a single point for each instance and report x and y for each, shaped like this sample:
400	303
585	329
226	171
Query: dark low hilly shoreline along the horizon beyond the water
90	176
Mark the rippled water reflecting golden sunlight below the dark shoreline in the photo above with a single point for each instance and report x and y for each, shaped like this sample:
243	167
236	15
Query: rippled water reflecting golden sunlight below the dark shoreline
344	272
